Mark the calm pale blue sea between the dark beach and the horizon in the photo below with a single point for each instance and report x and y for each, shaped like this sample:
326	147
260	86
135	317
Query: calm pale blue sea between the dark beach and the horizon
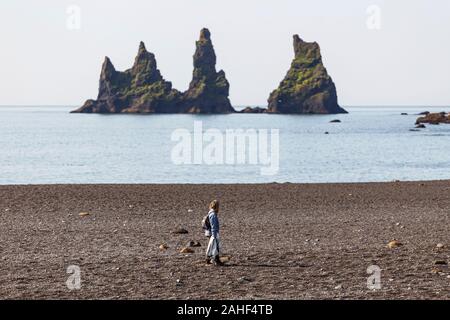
47	145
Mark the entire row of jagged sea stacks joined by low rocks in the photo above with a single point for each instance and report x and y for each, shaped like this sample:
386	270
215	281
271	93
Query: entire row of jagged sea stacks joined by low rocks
306	89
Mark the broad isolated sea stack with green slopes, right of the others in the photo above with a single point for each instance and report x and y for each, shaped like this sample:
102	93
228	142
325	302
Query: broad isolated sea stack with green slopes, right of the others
307	87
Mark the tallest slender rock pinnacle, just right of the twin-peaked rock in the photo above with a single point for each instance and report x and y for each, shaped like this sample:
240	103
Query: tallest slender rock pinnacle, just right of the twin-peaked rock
208	91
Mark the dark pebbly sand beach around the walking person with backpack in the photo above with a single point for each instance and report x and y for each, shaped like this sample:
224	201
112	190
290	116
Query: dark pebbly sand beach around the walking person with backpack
286	241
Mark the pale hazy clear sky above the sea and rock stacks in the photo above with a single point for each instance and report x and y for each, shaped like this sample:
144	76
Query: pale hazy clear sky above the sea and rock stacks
379	53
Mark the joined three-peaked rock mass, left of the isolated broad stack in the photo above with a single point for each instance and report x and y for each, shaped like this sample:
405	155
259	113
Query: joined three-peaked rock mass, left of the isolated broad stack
142	89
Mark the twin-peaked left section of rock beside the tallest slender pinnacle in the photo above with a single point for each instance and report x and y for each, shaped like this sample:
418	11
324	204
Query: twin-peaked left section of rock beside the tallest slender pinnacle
140	89
